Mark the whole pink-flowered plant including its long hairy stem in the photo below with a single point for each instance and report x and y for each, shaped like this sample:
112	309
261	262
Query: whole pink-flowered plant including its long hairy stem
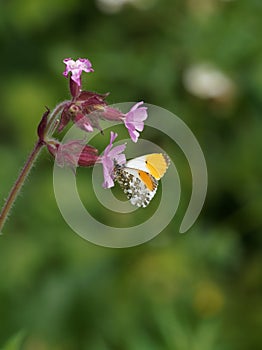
85	109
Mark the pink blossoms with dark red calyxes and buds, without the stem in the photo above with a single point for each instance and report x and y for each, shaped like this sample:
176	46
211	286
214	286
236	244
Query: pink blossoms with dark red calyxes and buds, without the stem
85	110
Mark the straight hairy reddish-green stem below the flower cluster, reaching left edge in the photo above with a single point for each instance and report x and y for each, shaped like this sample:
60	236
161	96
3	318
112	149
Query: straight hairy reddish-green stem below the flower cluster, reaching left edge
19	183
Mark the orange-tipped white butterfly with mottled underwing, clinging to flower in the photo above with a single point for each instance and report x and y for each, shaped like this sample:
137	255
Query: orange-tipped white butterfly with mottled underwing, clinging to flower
139	177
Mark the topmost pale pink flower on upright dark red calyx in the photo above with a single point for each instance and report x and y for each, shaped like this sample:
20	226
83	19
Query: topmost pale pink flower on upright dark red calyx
76	68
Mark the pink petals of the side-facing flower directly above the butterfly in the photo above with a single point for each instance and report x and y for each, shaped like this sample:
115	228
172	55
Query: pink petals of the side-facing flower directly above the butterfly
134	120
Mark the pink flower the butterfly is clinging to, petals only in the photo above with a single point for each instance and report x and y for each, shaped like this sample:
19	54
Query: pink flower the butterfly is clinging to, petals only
109	158
